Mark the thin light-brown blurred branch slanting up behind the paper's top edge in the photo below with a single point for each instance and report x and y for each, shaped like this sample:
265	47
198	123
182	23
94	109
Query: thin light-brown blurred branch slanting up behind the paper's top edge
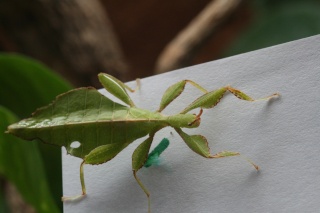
184	46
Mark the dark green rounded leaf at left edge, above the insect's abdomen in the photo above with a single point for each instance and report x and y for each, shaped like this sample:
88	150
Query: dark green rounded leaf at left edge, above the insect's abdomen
26	84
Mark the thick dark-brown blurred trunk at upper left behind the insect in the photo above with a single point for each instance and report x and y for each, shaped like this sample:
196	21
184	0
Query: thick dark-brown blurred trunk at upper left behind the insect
73	37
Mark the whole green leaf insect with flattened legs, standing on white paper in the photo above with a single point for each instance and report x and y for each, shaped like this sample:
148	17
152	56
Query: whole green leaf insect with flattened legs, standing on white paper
104	128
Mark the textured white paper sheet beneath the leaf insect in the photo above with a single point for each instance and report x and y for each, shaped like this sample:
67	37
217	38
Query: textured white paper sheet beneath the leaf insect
281	136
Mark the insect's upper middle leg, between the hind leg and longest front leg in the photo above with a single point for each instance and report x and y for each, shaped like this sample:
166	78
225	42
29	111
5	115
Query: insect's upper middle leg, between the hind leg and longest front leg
174	91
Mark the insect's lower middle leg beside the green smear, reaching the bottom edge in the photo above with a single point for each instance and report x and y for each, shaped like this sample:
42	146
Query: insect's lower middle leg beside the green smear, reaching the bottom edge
139	158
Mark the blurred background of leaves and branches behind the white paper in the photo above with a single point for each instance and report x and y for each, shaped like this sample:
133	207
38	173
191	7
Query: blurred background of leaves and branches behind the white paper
66	43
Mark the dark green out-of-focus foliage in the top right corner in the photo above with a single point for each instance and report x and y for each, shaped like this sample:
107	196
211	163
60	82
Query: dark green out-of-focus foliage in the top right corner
277	22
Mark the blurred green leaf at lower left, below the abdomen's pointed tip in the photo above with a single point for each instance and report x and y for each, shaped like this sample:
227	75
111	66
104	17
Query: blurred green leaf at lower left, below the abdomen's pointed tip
21	164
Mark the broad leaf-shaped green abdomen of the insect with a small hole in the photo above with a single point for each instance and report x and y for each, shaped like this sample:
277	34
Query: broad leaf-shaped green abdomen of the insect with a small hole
84	115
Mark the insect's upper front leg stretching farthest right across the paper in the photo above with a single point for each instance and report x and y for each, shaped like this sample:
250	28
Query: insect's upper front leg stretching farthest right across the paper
212	98
